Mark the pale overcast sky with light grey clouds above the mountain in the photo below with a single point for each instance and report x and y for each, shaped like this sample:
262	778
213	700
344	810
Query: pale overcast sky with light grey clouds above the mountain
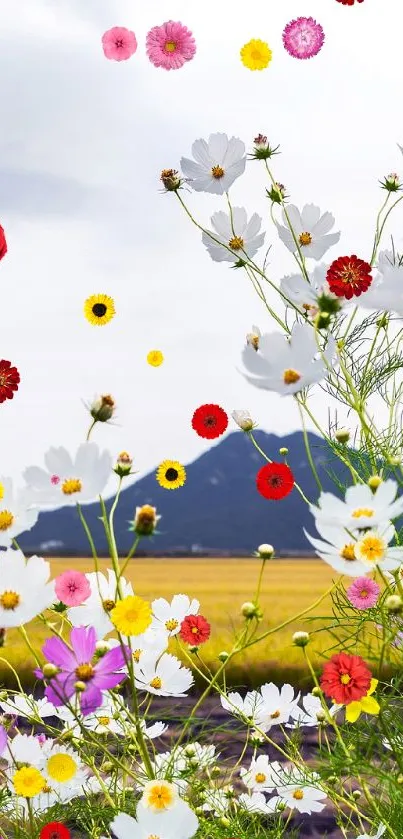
82	144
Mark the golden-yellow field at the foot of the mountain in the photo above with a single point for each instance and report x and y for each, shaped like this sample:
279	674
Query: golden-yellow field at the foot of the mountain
221	586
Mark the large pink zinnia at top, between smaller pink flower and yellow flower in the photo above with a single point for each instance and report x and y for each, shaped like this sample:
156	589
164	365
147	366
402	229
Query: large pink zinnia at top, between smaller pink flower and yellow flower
170	45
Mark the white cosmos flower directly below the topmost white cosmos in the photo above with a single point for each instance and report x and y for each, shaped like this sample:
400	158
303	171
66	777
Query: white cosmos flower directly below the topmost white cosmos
237	233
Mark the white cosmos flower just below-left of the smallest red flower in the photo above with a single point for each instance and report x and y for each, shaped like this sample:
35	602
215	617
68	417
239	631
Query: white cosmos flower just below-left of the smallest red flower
164	677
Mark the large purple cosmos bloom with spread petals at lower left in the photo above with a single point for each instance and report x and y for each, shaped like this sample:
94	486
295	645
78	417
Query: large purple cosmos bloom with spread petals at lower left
76	666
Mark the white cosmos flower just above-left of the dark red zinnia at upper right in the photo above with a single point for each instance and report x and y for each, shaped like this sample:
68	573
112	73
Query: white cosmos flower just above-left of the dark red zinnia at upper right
310	229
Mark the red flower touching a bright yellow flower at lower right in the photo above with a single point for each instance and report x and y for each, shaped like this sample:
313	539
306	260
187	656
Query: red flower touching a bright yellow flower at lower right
345	678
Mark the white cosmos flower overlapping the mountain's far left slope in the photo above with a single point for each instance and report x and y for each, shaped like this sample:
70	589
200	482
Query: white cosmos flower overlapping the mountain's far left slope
66	481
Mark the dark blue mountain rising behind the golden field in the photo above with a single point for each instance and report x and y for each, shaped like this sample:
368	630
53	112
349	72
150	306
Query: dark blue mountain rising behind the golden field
217	511
